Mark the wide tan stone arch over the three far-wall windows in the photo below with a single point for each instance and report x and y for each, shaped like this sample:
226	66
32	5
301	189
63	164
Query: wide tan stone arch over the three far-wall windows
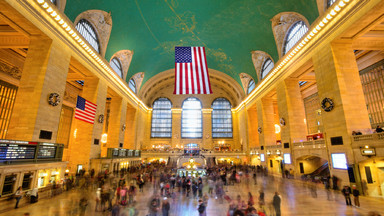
162	85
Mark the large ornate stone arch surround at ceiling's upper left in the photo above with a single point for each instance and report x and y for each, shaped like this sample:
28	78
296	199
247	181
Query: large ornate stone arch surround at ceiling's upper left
102	23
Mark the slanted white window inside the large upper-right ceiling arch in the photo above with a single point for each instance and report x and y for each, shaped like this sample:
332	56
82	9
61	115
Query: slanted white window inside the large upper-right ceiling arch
295	33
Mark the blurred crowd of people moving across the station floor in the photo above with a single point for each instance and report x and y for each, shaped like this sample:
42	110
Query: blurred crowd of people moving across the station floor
116	193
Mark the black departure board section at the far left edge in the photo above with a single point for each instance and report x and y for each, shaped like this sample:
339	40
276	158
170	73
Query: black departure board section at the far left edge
16	152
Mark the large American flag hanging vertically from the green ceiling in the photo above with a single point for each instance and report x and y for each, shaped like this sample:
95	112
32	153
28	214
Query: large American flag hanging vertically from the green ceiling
191	71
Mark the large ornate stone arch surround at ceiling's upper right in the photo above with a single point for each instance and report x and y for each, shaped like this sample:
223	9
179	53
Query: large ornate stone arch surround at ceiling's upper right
281	24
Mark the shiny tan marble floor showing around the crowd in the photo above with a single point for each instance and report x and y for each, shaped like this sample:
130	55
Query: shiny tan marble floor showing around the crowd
297	199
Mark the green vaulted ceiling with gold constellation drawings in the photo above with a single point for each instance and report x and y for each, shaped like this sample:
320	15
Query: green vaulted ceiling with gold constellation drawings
229	29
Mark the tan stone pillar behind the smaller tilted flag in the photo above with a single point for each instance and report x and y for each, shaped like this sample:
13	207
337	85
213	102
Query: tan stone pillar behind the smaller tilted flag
81	147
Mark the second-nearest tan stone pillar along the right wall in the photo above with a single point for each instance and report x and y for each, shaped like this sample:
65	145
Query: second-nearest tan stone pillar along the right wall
291	109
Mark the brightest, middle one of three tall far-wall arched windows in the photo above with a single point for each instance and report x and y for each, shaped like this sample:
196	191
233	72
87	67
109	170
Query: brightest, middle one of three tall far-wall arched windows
191	119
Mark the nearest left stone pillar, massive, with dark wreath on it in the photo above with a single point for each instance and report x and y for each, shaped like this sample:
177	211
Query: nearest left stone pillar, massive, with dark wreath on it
45	71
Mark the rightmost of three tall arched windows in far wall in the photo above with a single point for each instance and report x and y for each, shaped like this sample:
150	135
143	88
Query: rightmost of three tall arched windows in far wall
221	118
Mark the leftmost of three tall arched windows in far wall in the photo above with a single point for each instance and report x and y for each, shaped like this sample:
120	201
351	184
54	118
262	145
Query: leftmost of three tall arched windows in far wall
161	118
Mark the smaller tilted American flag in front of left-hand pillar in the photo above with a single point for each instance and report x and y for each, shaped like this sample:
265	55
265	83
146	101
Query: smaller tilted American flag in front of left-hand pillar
85	110
